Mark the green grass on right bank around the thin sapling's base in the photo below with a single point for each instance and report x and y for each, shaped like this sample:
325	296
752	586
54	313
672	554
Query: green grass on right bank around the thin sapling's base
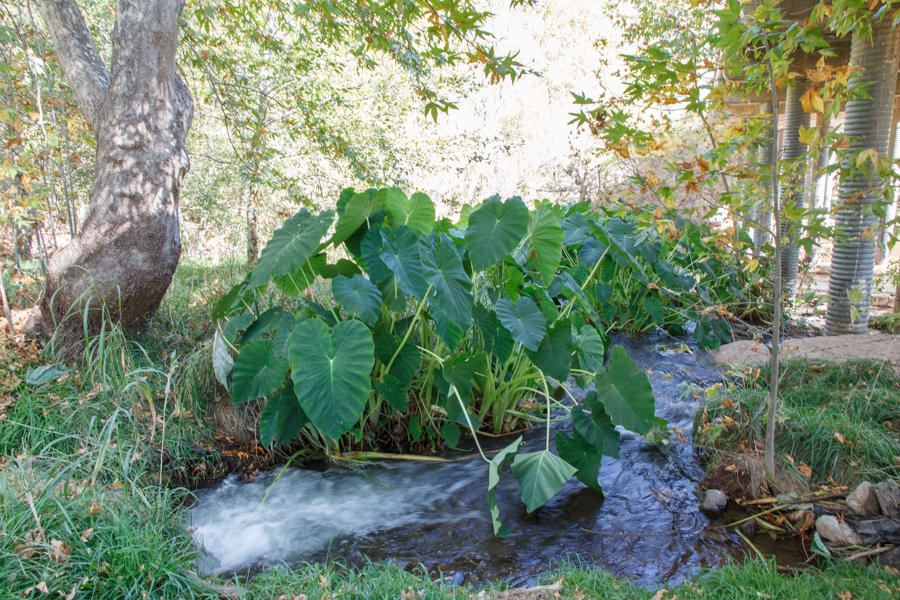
843	421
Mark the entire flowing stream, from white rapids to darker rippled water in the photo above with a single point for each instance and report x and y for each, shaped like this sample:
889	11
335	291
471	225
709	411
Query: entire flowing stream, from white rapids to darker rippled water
647	529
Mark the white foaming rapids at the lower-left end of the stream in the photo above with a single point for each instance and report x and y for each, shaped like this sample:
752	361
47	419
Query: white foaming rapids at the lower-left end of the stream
307	512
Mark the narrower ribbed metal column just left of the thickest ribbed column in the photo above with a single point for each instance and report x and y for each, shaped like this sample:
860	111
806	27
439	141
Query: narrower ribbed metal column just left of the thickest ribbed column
792	189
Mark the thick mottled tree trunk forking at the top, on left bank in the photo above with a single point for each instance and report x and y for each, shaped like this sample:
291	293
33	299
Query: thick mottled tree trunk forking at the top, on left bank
125	254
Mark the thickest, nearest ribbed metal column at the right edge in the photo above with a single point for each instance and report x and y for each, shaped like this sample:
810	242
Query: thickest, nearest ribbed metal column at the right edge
868	125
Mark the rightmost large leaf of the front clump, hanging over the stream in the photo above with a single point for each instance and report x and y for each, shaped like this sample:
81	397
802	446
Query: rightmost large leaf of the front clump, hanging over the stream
626	393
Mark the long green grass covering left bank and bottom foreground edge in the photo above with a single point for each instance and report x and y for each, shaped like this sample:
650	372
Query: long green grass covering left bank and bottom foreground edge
83	508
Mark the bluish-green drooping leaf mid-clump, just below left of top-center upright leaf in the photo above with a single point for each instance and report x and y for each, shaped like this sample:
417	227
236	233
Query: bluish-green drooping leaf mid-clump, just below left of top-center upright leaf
451	287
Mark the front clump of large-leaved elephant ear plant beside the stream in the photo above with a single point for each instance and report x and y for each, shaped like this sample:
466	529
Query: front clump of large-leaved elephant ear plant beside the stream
431	326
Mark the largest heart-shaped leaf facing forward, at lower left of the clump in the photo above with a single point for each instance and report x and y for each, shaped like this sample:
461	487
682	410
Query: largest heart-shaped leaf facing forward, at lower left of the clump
332	370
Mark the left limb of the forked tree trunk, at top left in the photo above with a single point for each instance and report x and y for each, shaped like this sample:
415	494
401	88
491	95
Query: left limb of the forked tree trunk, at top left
75	48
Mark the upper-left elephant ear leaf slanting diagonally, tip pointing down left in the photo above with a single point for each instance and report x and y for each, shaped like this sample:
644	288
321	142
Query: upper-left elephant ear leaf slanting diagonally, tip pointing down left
290	246
